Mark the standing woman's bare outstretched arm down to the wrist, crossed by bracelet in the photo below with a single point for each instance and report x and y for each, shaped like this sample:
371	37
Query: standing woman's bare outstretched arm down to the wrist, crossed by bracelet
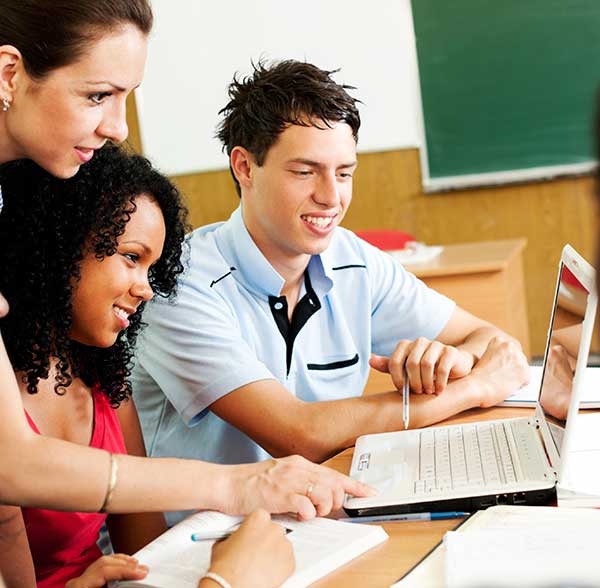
44	472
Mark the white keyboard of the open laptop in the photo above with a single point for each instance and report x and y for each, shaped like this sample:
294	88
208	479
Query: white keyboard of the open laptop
476	455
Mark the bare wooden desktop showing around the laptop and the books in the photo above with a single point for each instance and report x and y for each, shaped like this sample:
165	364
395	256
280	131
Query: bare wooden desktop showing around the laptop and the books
409	541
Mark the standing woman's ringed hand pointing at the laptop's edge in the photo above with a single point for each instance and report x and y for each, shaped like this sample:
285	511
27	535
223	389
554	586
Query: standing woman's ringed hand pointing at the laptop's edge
288	485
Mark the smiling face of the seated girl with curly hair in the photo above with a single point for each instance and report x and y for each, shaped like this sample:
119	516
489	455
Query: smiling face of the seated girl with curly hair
111	289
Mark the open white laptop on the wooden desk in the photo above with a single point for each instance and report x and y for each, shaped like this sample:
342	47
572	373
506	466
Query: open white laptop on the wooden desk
472	466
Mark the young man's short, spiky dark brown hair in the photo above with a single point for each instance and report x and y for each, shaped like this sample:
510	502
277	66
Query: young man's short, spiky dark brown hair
275	96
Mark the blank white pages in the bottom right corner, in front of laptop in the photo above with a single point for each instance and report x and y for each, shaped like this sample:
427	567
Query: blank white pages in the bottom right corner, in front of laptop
533	546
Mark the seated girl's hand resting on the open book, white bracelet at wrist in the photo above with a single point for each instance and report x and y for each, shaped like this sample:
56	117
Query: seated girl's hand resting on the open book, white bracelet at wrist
257	555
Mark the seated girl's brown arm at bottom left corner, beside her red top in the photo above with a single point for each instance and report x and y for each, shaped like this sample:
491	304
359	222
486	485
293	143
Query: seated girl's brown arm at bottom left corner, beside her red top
16	565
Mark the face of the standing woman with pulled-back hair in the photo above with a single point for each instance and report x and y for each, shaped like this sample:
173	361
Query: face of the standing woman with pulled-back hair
61	120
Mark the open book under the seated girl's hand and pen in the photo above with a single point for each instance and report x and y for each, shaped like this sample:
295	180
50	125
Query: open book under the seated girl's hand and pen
320	546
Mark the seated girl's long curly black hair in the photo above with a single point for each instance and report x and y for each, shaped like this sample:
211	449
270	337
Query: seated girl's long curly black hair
47	226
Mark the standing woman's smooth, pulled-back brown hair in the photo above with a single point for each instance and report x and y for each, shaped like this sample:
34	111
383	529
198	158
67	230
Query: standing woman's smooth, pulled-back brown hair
54	33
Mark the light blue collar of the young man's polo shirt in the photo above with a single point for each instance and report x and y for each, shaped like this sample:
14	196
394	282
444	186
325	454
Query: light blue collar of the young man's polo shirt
252	267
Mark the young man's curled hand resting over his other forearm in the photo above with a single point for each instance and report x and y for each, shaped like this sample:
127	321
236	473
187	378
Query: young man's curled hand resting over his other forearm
429	365
